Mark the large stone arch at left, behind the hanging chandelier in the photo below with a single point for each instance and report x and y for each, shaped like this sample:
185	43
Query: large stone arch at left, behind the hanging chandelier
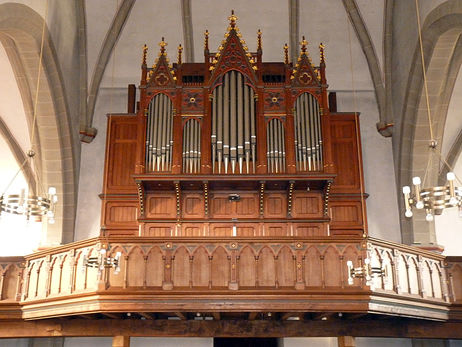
20	33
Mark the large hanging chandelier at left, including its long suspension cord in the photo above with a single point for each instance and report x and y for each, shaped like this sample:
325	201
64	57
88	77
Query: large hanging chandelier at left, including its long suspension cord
34	203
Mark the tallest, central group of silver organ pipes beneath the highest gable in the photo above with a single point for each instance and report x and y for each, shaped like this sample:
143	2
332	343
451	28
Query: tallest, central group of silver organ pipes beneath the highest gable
233	126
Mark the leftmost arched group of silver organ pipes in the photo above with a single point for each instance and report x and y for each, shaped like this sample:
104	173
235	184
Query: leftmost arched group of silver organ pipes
159	140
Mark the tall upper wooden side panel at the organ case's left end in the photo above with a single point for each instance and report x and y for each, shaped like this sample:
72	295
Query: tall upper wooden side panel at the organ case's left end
121	154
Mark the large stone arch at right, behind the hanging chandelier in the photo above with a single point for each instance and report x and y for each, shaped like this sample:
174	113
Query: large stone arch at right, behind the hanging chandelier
440	32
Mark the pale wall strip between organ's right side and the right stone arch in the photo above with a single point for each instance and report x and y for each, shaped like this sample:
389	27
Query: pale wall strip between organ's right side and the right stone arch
379	175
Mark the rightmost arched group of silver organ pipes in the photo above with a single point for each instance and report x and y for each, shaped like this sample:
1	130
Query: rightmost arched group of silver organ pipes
308	135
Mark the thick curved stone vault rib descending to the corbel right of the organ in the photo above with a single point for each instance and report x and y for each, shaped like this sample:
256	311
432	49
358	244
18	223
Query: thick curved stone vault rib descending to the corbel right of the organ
367	46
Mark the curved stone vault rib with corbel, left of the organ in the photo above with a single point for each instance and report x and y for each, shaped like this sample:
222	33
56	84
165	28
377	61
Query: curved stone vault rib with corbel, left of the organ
107	48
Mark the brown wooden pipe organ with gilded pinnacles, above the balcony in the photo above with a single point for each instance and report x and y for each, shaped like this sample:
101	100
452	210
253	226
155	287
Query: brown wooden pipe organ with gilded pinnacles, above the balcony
233	147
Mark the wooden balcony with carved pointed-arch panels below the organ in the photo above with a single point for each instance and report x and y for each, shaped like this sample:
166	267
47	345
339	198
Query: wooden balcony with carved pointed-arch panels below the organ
239	277
